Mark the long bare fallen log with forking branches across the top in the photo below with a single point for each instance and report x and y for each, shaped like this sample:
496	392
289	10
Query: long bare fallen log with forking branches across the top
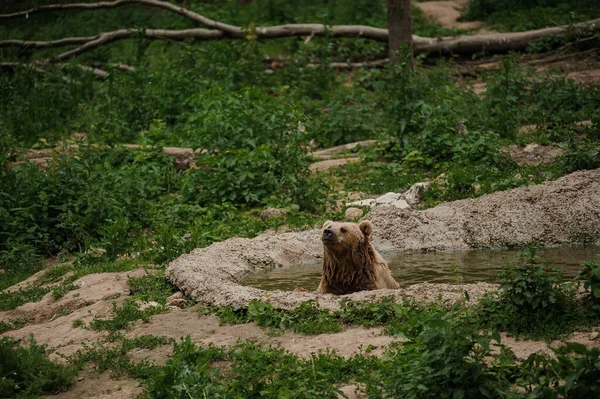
461	45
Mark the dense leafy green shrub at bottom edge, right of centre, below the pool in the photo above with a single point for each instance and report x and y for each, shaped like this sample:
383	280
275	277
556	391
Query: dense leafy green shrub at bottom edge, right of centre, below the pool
447	359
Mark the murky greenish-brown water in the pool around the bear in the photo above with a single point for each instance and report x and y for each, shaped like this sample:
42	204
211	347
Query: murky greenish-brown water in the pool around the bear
433	267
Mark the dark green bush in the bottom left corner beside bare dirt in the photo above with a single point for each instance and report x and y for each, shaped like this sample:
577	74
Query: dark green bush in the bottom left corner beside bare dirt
27	372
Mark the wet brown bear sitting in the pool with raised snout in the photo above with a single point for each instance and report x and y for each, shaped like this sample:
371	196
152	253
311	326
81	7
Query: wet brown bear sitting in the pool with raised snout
350	263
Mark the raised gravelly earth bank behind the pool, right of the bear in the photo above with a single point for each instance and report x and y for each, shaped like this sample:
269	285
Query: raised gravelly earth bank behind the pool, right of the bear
558	212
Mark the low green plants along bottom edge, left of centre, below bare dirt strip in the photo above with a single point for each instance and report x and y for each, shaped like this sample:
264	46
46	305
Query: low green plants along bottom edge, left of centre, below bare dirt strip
248	370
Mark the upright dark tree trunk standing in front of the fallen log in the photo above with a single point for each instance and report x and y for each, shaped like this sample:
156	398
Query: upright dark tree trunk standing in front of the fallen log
400	29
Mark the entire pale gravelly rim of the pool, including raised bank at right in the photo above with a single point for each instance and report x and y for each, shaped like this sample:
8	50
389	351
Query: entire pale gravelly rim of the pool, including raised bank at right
560	212
